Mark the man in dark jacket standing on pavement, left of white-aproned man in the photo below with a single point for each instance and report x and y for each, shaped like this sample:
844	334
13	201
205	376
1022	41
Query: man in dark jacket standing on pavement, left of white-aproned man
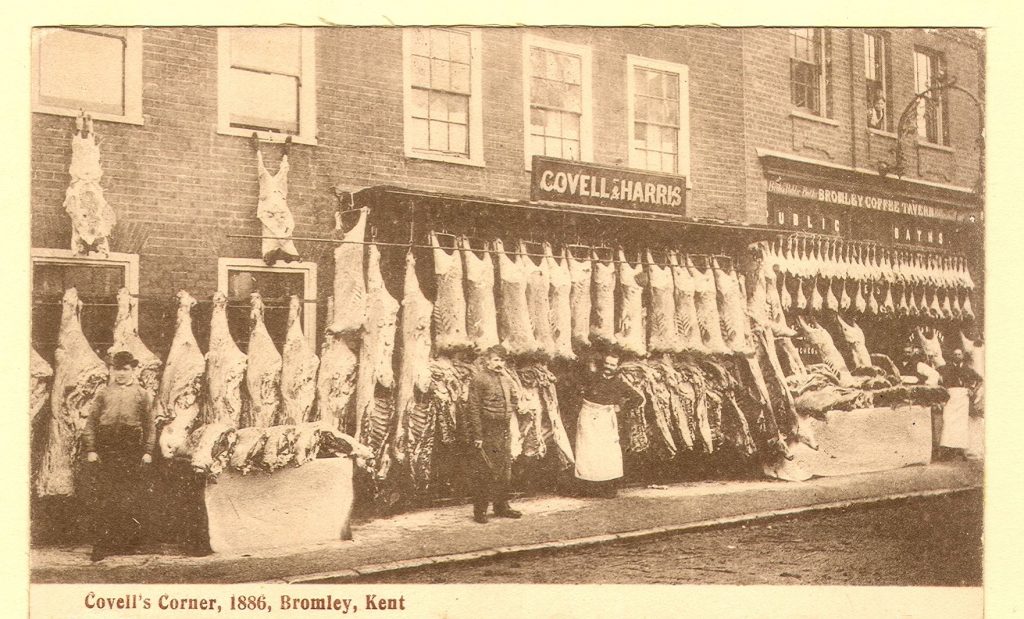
492	404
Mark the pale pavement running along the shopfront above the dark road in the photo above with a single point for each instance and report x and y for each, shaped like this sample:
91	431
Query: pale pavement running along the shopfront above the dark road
449	534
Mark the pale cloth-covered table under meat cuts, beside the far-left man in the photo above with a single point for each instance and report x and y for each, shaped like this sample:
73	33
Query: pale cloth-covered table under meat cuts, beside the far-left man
292	507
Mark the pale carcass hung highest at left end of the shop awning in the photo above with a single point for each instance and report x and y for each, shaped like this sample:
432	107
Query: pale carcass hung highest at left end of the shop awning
350	285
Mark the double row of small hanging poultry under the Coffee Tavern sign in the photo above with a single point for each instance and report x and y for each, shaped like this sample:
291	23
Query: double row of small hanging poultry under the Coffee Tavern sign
817	275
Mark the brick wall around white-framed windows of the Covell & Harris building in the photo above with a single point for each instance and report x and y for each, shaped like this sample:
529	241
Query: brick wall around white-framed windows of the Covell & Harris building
180	188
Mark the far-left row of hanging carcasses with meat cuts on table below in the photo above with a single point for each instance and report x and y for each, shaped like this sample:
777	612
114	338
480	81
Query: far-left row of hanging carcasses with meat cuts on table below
219	409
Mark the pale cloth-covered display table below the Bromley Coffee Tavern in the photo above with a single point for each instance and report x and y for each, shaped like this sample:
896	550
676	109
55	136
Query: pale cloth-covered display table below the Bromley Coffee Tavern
867	441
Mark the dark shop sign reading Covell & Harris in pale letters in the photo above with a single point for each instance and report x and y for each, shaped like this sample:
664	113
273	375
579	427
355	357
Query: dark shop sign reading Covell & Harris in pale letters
575	183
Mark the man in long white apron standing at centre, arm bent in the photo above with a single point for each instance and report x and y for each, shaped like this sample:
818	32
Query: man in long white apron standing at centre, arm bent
599	455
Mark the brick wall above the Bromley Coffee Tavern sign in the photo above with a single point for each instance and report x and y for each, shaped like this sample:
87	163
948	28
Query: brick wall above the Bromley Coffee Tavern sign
771	125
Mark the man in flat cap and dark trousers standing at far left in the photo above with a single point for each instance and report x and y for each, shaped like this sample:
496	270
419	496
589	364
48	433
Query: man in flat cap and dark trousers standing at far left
119	440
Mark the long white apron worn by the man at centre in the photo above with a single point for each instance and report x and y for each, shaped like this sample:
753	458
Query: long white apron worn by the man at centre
599	457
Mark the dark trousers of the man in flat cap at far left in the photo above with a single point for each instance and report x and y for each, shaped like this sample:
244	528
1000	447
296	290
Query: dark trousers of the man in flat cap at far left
121	484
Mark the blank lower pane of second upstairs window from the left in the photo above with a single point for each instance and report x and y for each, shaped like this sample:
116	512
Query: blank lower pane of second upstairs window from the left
263	101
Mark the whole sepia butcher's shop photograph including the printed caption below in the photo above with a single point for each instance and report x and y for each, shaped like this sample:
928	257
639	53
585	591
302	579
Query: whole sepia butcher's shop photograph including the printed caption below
460	305
